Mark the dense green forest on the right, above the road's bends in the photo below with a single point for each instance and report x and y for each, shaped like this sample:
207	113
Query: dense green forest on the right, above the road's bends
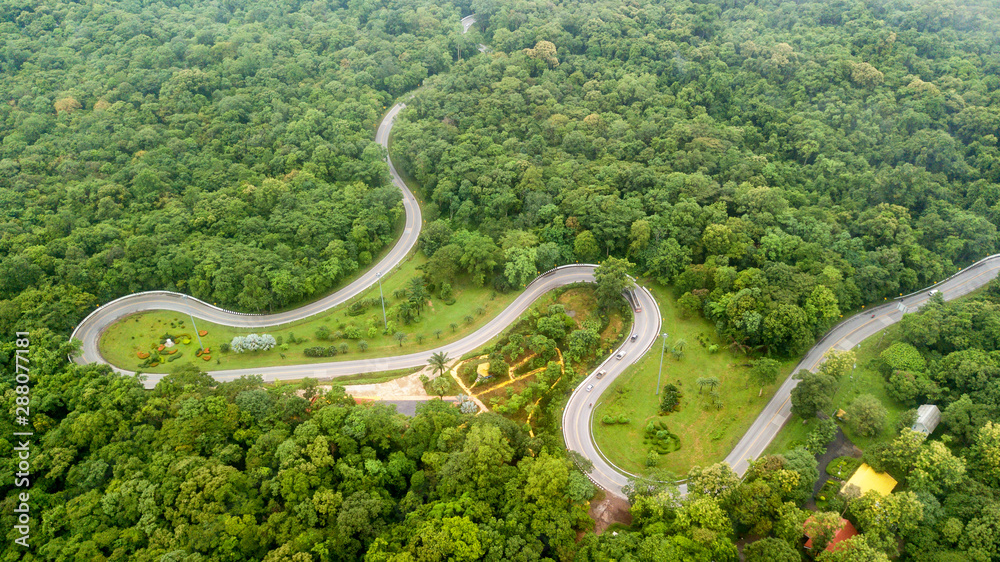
778	163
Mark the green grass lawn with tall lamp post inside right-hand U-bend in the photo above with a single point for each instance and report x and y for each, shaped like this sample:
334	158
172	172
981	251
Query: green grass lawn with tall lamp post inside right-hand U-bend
706	434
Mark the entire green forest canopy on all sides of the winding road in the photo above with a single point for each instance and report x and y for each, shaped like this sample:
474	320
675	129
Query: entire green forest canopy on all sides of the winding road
777	163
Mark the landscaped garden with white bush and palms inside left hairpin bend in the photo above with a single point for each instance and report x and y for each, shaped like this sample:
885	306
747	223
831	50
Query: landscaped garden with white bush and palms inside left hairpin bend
347	332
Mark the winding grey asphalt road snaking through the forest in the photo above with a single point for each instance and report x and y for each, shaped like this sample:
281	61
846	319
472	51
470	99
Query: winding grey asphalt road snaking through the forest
577	417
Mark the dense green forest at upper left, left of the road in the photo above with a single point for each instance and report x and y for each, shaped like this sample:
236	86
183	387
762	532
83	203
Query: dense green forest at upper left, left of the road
224	149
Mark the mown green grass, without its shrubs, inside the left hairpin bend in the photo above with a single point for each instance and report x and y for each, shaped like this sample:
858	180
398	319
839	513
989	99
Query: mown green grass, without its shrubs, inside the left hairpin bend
122	340
